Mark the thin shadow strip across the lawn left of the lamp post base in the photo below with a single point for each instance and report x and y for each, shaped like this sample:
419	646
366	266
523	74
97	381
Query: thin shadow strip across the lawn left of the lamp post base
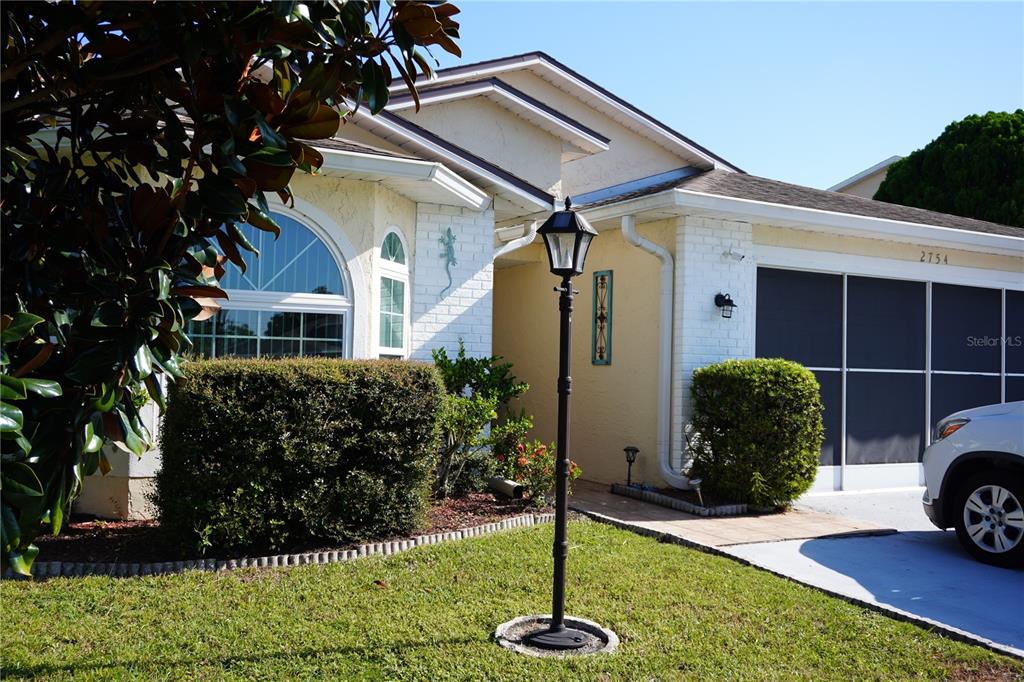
368	655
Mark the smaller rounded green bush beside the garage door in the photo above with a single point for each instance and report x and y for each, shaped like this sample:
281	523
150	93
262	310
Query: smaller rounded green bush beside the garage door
758	431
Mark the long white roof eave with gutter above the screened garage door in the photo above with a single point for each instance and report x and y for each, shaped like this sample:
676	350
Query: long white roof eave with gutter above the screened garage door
687	202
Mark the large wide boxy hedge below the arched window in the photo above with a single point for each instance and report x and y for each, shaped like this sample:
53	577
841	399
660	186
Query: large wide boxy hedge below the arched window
267	454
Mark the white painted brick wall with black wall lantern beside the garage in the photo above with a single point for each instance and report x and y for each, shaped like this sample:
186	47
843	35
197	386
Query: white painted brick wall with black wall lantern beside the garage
703	336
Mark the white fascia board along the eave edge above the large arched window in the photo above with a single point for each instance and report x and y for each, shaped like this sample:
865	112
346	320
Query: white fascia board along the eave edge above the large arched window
452	185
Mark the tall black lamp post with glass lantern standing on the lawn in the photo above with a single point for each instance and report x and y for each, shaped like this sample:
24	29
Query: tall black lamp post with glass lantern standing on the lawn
568	237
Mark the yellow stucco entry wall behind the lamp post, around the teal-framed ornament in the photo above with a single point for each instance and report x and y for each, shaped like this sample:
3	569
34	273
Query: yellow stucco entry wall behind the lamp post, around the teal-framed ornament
613	406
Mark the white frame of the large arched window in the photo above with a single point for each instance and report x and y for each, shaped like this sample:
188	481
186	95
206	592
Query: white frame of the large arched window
242	300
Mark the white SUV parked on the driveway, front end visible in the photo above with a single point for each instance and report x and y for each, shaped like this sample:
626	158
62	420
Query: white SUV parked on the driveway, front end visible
974	472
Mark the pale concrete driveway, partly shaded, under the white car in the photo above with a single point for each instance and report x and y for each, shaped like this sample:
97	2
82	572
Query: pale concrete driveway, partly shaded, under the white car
921	571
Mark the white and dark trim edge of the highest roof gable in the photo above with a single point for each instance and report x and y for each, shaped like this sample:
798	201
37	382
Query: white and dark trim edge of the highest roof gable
569	80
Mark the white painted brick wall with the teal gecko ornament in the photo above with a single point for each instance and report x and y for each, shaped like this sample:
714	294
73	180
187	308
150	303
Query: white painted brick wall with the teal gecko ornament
465	310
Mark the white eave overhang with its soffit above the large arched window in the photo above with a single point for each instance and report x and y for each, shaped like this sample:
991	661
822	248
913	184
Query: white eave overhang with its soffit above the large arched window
440	185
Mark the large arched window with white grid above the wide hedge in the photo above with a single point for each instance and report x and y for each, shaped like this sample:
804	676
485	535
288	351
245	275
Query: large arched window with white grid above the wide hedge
292	301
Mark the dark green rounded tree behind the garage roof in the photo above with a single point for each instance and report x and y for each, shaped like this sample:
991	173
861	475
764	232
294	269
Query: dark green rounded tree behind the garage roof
975	169
